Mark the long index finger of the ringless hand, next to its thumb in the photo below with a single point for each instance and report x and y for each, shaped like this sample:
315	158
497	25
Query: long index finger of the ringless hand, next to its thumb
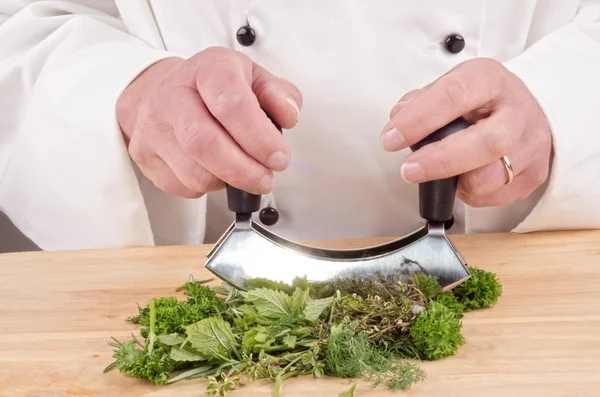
225	85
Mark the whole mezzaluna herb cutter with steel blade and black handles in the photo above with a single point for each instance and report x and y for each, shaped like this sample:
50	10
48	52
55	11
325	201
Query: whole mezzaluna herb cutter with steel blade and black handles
248	253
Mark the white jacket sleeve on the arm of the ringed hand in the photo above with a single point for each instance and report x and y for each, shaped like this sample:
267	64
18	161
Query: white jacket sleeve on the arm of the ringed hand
562	70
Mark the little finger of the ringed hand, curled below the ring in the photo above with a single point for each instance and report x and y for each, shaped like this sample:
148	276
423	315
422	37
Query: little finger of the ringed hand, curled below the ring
518	190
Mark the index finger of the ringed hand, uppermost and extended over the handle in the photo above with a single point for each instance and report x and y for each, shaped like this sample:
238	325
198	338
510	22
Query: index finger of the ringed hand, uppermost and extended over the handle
451	96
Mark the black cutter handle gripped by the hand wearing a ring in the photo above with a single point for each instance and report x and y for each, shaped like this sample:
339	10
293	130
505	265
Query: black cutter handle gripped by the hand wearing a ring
436	198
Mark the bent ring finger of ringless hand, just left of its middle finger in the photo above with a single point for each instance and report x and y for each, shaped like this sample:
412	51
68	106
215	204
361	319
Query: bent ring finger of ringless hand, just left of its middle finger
189	172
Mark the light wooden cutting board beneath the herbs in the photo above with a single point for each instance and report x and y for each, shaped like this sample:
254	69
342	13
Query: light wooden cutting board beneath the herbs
58	311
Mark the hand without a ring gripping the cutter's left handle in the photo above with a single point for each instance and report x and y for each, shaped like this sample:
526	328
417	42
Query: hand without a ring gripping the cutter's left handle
191	125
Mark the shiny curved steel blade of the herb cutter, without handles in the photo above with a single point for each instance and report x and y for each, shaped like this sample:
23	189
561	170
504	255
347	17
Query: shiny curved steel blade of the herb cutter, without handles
248	252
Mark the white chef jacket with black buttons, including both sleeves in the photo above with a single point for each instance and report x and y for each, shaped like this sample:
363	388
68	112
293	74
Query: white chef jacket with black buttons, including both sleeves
67	182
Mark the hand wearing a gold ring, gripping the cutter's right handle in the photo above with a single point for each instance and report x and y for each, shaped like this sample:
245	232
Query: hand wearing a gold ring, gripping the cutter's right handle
506	121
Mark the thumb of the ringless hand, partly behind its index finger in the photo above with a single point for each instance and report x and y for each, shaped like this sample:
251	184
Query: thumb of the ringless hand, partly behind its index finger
278	97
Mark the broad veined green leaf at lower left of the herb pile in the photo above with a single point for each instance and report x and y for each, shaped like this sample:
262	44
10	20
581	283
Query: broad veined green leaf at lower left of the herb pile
212	338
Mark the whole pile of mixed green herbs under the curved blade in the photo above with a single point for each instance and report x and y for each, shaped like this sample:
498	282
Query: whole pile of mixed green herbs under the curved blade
371	328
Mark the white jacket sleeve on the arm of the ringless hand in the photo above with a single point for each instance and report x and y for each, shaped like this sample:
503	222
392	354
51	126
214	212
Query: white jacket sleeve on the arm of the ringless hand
66	179
